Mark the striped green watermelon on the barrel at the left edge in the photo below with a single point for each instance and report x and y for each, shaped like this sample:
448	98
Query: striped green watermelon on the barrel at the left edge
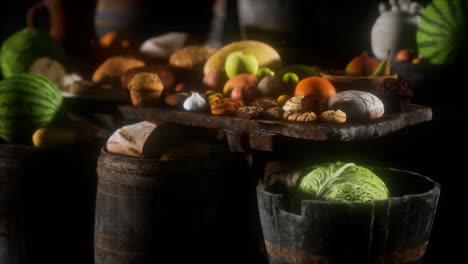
27	101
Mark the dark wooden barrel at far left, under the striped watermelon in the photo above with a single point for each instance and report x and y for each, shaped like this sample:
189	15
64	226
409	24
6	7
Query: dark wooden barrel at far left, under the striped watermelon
47	199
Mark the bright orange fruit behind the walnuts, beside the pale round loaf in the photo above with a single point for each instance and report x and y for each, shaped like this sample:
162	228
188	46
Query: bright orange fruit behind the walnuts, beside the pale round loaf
315	85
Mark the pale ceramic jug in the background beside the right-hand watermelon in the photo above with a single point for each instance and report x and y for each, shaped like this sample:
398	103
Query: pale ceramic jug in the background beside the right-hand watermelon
396	27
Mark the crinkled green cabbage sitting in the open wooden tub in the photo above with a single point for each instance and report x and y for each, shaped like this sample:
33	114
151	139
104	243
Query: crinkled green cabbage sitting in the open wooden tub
338	182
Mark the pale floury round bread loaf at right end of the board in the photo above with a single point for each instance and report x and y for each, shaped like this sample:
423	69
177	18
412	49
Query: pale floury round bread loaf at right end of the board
357	105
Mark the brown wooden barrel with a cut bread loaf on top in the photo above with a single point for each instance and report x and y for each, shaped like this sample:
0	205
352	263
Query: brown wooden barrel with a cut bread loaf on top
176	211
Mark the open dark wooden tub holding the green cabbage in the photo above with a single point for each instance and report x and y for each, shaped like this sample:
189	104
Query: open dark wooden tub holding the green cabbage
396	230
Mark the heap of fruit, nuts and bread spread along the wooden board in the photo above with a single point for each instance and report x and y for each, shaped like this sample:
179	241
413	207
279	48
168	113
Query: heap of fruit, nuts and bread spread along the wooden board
247	79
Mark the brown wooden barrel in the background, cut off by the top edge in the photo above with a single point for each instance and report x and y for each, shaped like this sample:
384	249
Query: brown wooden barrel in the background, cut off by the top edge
122	16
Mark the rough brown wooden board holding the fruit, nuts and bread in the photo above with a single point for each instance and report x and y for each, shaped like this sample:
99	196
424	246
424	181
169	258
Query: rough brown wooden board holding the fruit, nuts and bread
262	132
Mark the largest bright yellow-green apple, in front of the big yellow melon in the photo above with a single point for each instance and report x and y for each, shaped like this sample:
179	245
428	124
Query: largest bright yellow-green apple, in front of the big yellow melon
238	62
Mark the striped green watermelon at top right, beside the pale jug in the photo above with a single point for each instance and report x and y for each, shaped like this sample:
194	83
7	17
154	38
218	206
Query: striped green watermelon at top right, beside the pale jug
442	32
